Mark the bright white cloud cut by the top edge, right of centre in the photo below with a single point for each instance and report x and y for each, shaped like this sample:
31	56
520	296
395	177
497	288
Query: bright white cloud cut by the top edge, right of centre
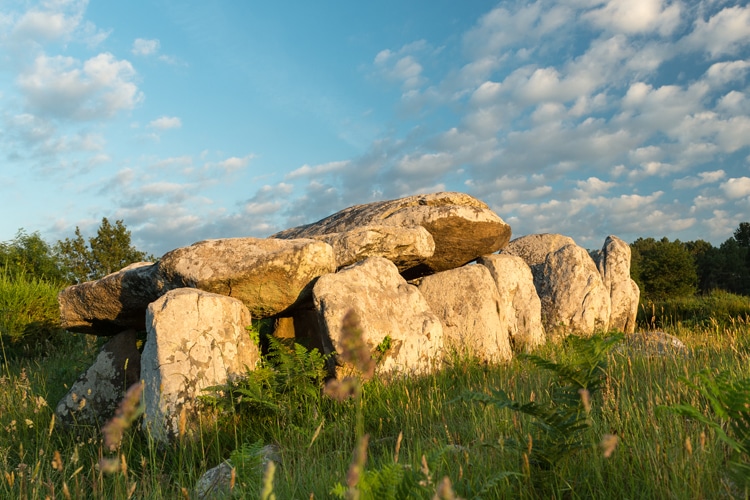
636	16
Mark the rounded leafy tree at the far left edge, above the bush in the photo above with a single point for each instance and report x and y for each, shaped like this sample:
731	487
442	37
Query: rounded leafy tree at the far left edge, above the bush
29	255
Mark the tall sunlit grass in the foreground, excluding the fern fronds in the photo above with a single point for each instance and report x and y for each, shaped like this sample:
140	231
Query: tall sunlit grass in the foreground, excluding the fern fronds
658	454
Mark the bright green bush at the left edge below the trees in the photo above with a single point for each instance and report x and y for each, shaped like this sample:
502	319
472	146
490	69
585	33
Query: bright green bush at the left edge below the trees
29	312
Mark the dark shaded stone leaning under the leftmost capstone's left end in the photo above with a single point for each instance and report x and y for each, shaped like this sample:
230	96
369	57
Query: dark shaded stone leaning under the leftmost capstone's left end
93	398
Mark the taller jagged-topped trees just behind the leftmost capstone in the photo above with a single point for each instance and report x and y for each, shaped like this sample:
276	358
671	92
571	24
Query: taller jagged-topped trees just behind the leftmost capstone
109	251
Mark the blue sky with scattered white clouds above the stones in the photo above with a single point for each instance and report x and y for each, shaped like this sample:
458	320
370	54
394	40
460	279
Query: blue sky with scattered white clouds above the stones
192	120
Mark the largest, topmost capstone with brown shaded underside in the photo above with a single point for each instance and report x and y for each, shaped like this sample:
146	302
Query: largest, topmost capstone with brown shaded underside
462	227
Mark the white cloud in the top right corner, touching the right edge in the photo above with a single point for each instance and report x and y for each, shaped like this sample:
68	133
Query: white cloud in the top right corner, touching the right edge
724	33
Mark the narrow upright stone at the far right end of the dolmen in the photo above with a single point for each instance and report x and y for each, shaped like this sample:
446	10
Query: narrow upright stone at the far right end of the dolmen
614	266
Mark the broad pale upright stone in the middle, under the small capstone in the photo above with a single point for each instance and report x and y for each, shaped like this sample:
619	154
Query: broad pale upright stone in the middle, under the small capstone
387	307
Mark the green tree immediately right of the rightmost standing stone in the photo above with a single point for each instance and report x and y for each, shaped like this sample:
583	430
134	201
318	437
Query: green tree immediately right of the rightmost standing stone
663	269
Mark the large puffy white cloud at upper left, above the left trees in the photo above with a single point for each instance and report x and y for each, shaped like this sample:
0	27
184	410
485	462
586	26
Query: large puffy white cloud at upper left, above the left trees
62	87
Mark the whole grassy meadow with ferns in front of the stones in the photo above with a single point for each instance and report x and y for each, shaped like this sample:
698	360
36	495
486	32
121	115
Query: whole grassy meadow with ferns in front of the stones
577	419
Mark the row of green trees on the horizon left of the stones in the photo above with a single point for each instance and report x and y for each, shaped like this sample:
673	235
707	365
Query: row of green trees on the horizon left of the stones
72	260
